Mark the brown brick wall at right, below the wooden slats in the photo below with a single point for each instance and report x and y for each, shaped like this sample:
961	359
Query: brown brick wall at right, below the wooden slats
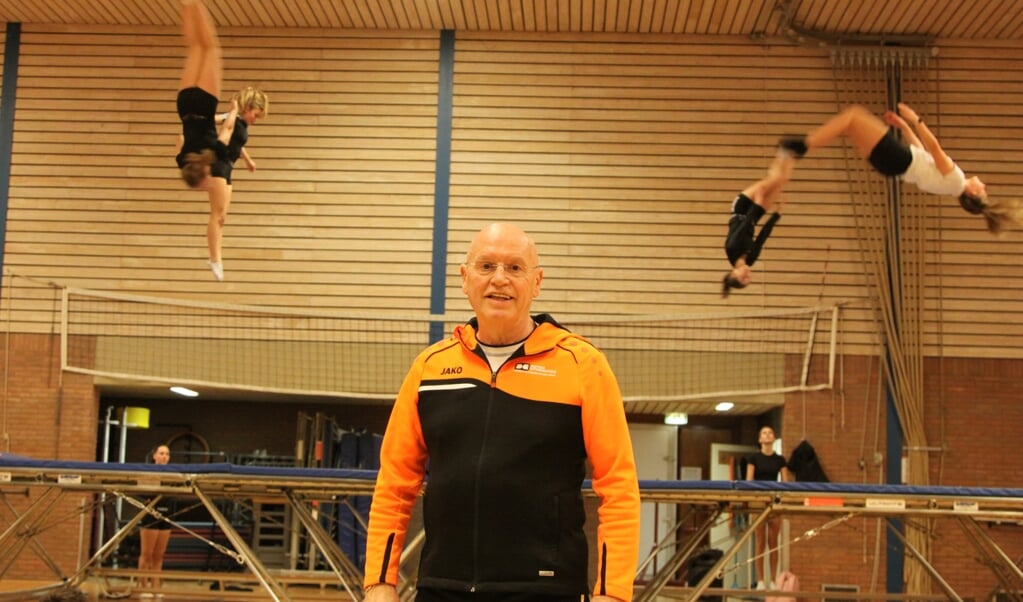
973	419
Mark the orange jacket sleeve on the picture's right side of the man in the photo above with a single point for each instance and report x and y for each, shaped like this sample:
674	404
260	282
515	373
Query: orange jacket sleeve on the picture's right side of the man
610	449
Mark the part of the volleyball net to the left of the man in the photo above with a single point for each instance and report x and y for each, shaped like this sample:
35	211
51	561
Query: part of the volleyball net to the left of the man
238	347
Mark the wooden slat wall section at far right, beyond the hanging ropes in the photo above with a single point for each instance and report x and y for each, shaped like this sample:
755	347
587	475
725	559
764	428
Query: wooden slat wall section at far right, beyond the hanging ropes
975	281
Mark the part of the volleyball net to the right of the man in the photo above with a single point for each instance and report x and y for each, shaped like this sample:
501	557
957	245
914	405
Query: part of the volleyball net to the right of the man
662	361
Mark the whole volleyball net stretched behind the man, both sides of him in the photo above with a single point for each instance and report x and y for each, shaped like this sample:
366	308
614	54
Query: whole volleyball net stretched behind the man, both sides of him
660	362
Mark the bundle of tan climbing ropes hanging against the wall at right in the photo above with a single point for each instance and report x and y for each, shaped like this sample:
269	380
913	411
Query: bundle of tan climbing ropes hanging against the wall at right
892	226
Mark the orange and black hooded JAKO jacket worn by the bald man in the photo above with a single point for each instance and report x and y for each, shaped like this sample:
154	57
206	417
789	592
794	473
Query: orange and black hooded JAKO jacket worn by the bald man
506	454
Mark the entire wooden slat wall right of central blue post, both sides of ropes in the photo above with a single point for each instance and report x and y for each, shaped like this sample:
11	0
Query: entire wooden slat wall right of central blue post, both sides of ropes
624	156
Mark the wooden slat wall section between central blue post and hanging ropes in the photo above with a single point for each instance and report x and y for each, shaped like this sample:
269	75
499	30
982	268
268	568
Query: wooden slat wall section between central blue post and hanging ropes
624	155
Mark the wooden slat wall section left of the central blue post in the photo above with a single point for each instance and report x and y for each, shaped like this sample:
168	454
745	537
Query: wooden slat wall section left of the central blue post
343	193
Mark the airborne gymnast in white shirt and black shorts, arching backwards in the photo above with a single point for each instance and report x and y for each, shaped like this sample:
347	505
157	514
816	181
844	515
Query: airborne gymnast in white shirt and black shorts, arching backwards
918	159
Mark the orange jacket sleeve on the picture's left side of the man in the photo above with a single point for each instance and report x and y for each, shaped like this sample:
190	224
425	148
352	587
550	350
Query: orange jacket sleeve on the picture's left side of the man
404	457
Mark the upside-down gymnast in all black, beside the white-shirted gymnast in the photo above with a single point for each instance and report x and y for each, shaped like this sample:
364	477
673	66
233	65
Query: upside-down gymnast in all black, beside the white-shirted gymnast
741	246
